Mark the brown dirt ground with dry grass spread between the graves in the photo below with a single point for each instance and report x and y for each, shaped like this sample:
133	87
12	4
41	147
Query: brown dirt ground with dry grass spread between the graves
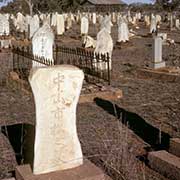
105	140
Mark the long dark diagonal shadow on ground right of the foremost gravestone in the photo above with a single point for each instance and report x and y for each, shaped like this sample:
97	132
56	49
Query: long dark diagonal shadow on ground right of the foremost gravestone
150	134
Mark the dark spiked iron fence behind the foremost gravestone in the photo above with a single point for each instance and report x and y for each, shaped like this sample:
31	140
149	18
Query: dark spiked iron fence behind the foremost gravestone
96	67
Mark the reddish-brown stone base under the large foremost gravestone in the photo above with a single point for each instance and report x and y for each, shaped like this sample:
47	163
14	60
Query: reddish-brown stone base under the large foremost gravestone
87	171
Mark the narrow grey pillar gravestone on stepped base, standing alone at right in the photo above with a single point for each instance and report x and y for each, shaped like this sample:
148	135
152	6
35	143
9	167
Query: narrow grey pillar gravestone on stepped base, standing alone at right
157	53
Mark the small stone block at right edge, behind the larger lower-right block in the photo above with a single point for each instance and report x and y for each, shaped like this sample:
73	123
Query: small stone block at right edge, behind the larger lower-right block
175	146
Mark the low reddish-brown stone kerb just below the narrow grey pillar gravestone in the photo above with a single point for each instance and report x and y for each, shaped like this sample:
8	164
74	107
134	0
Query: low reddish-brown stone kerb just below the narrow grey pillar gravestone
159	75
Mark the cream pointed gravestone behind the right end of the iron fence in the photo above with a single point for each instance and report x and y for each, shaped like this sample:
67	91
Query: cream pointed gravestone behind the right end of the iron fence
104	45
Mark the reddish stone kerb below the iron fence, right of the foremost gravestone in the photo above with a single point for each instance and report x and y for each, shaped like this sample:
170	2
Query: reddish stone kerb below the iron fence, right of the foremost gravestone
112	94
